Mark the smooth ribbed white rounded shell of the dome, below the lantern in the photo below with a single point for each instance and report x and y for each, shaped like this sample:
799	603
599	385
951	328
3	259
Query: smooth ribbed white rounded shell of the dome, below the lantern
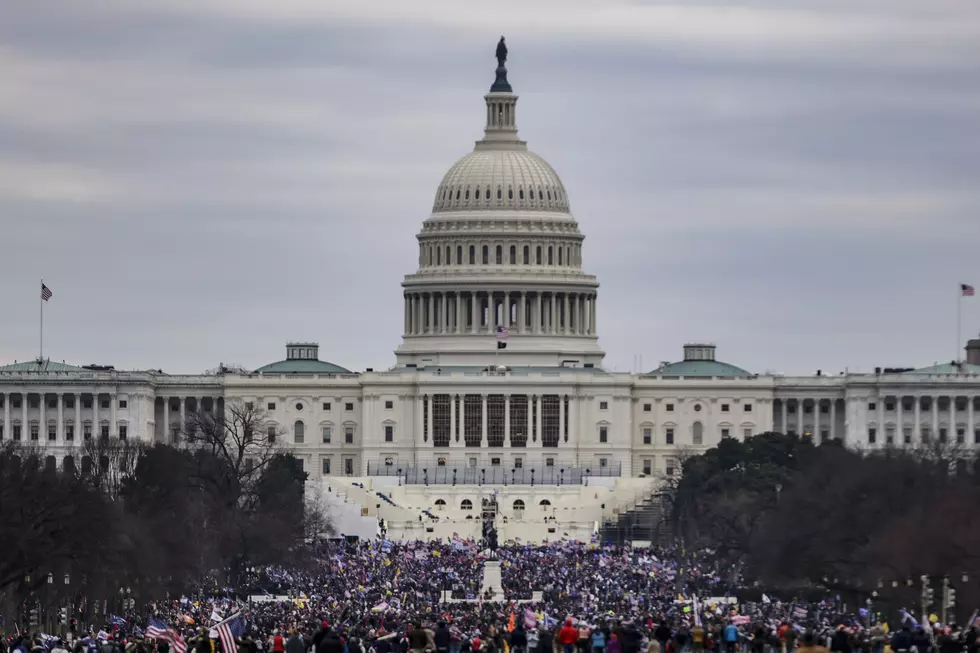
496	179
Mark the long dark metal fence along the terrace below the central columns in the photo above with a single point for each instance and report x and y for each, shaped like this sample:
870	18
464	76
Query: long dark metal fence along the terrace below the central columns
414	474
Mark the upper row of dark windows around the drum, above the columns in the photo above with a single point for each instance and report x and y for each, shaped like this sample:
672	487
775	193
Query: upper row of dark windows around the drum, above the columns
569	255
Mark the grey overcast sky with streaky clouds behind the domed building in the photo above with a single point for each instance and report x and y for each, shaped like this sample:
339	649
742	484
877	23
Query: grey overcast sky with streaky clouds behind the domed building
200	181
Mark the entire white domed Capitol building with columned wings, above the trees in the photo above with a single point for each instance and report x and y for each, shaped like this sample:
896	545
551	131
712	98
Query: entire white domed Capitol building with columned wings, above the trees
501	262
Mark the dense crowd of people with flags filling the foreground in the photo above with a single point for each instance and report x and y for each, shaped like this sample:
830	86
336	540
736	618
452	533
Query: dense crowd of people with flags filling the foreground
386	597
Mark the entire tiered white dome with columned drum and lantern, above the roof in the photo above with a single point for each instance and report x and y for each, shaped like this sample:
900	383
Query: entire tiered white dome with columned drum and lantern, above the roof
501	251
